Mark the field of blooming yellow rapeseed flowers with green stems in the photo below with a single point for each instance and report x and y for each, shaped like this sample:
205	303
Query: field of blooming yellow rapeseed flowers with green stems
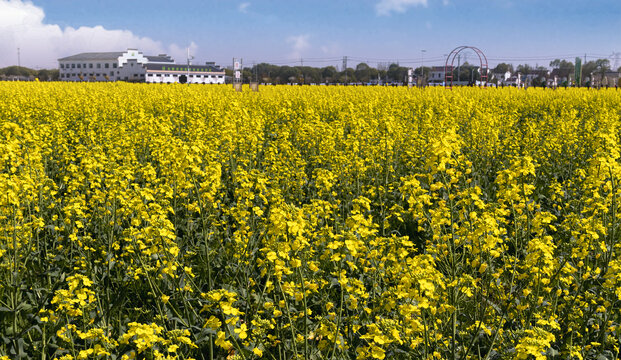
194	222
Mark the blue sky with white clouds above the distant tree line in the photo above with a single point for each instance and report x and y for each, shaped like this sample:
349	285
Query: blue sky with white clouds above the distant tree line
319	32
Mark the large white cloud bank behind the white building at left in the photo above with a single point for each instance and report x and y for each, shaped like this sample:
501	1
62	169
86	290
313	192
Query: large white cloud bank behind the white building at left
22	26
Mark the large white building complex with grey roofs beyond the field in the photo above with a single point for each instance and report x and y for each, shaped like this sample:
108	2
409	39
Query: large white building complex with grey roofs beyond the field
133	66
